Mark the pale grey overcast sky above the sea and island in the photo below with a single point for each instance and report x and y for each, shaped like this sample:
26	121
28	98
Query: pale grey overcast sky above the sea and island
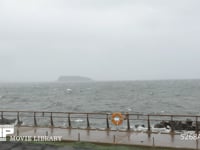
102	39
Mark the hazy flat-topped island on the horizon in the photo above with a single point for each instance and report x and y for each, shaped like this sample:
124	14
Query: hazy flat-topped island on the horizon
74	79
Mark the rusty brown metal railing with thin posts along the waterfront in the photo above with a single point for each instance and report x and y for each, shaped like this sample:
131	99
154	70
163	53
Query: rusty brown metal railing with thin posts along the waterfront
36	118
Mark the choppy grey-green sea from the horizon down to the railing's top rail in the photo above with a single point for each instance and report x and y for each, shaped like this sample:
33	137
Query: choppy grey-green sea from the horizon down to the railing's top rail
159	97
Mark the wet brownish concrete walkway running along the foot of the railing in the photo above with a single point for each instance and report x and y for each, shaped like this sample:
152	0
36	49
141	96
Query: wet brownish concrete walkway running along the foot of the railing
116	137
